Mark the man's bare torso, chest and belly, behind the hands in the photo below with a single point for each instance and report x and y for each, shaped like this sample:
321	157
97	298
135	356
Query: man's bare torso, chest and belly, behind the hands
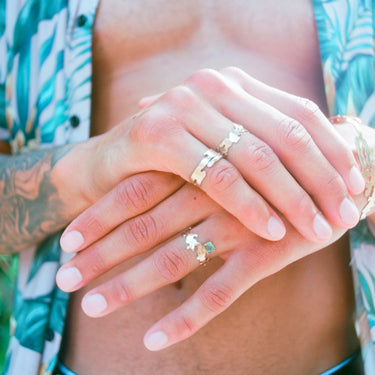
299	321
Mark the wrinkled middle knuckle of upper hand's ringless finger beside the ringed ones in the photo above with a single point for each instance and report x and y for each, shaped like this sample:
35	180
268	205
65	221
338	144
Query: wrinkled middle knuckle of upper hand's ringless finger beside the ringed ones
293	134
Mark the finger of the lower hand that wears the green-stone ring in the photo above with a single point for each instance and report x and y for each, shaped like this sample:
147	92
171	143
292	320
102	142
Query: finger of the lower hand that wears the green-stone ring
166	265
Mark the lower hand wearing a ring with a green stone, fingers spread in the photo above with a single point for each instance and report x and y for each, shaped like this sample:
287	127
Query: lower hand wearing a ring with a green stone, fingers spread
113	231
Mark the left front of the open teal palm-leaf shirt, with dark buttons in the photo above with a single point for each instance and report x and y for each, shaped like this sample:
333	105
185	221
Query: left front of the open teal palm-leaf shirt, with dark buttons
45	88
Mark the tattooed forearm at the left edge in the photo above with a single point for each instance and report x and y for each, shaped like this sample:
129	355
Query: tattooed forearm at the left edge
30	208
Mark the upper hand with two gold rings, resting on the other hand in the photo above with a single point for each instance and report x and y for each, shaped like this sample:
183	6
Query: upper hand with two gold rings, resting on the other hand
251	148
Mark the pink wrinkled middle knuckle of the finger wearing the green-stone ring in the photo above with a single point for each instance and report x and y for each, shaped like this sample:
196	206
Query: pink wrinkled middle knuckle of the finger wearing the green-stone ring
171	263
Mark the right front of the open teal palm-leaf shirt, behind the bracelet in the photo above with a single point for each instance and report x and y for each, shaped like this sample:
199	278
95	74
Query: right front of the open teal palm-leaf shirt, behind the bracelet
346	31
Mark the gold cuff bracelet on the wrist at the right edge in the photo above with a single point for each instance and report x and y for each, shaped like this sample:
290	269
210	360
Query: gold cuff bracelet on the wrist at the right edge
365	159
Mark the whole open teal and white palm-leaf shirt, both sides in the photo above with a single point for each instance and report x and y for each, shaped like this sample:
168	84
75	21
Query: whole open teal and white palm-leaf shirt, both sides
45	87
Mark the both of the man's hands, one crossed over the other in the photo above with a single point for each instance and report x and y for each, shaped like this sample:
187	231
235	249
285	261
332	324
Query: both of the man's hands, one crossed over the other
283	191
